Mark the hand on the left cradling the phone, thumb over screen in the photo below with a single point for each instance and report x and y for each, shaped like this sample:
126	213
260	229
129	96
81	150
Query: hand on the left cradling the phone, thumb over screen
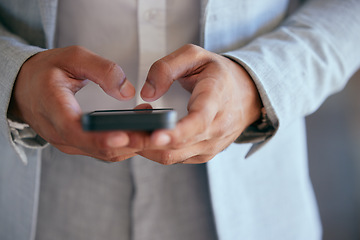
43	97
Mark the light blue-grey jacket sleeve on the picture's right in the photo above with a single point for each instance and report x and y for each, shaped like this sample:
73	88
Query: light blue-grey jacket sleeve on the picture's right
303	61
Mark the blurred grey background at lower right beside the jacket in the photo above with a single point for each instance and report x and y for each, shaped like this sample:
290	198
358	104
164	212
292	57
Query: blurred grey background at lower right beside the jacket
334	160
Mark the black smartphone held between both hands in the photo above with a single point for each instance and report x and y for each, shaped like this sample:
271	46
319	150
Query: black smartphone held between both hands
134	119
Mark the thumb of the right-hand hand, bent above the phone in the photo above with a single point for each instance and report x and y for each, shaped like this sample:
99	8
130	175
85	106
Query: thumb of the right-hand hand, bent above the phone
165	71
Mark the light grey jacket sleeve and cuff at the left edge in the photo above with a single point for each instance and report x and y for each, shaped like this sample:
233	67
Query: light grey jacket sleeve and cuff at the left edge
13	53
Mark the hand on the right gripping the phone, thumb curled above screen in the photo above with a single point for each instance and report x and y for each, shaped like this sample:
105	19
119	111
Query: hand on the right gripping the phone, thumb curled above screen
223	103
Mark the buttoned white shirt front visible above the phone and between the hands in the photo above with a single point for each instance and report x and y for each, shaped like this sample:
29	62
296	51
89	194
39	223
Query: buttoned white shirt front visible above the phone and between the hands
143	33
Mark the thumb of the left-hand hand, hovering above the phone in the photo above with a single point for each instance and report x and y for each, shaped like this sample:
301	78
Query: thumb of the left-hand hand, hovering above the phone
83	64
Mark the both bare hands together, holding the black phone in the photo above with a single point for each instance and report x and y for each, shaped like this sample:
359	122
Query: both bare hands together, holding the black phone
223	103
